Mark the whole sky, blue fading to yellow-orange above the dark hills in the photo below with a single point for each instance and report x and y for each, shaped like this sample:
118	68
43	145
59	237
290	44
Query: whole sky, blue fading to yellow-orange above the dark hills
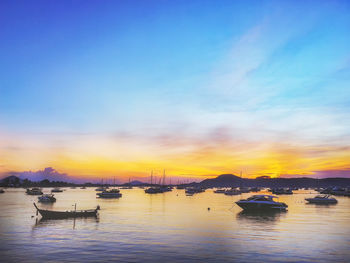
101	89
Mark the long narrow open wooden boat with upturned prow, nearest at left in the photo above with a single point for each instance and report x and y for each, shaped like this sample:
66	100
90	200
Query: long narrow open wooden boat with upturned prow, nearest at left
49	214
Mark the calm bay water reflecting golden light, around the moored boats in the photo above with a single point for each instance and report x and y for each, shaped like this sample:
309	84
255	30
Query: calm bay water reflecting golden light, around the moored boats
172	227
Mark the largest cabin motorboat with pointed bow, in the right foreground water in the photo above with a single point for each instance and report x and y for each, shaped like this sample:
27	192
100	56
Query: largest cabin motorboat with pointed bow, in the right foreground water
261	202
